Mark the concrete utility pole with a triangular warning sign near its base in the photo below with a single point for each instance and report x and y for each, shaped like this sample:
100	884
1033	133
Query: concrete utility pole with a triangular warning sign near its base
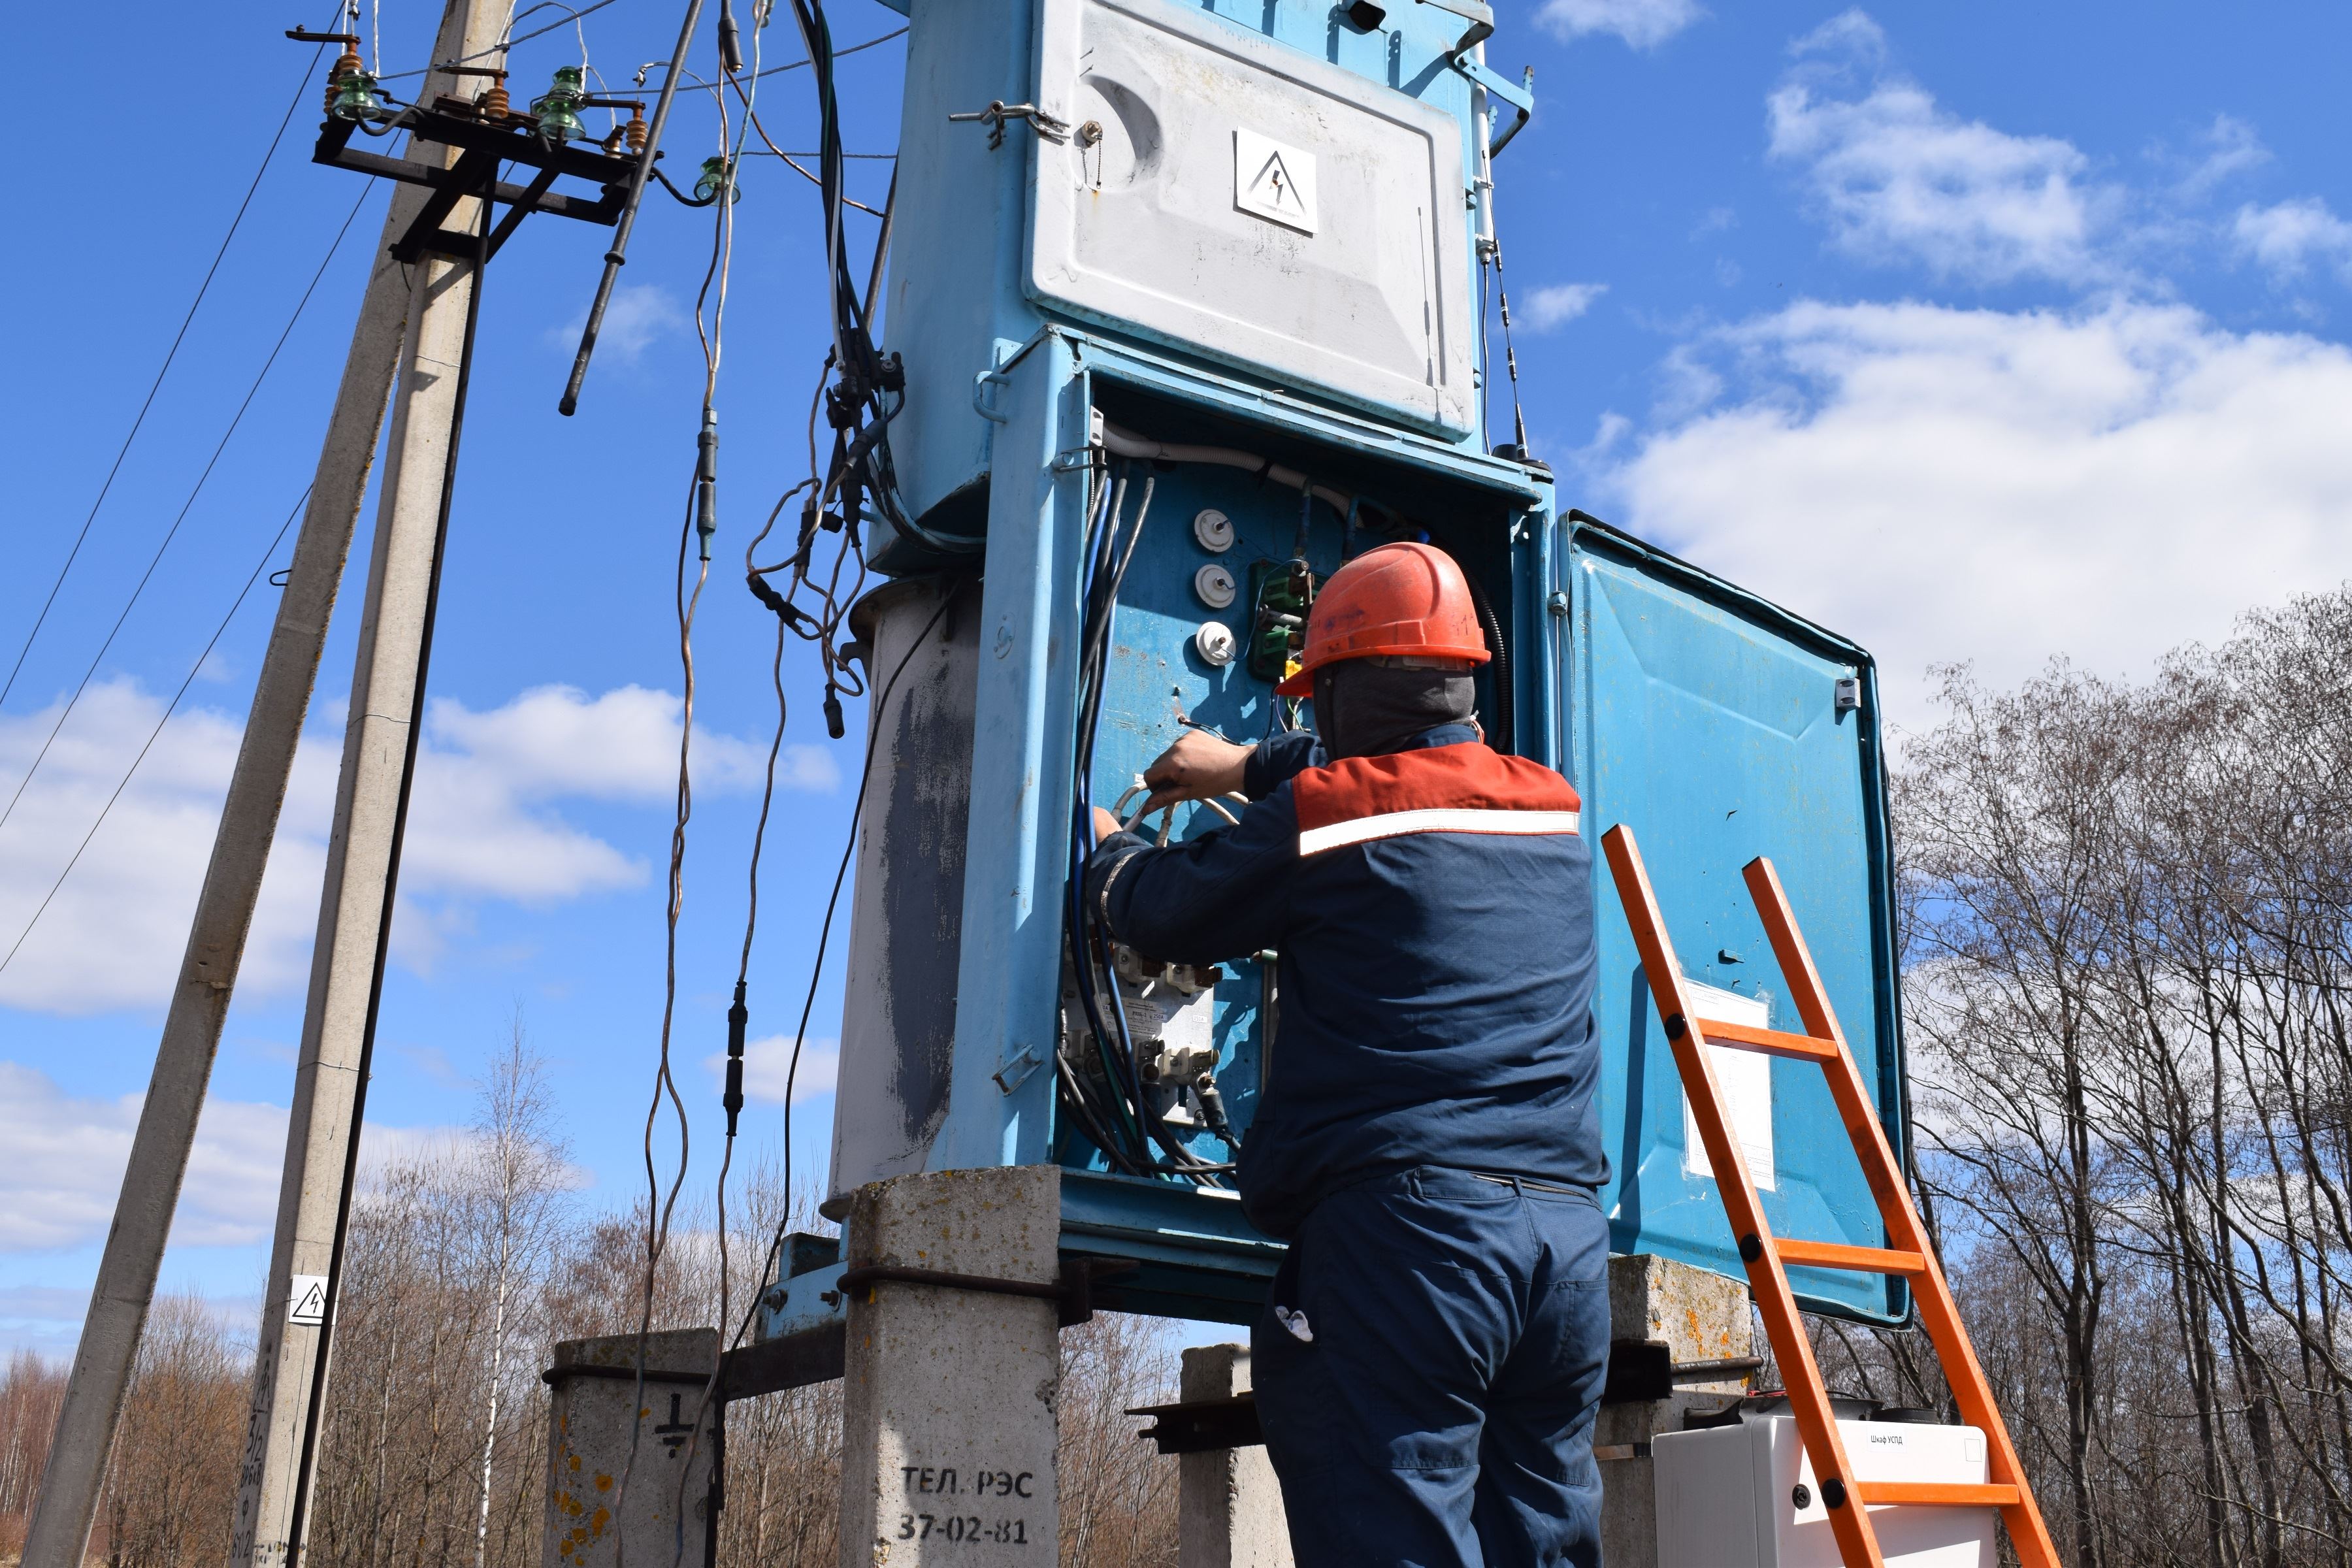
363	857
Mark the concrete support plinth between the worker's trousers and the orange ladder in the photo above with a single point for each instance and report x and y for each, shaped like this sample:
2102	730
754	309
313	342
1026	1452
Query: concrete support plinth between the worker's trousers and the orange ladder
1702	1318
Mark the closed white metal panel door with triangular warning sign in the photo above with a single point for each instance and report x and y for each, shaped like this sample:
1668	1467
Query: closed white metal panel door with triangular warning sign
1257	206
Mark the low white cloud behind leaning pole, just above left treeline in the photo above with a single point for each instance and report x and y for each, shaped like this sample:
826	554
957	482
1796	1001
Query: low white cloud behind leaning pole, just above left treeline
67	1155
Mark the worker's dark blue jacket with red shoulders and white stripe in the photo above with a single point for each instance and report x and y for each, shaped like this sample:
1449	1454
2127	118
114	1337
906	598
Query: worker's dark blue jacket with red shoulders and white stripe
1434	911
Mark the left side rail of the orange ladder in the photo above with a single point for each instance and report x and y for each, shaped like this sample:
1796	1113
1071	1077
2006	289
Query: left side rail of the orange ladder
1800	1376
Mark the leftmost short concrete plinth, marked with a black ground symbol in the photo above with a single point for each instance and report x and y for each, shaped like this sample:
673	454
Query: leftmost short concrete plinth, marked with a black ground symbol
592	1419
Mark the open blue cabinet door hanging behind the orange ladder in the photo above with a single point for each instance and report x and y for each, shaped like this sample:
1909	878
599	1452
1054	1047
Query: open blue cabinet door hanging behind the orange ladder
1723	728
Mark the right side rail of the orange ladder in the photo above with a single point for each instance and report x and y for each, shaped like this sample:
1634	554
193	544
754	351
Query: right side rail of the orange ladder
1930	1289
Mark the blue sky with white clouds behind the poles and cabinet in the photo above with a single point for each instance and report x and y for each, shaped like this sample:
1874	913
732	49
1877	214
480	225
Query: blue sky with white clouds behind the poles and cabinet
1977	333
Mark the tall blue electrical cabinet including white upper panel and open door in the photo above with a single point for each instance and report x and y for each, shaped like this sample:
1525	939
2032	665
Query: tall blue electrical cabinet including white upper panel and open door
1057	295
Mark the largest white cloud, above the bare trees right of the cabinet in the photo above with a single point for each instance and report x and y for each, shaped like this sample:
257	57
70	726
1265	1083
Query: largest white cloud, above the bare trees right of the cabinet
2000	488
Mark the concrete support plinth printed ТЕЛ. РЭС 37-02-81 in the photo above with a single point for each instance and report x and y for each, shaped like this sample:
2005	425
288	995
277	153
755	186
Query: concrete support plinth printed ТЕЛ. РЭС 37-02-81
949	1393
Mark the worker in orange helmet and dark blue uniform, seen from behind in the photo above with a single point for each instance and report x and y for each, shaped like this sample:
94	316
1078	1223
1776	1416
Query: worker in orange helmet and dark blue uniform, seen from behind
1431	1355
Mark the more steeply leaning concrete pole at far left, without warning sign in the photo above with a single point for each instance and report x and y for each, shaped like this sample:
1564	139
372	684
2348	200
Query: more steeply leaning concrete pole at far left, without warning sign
225	911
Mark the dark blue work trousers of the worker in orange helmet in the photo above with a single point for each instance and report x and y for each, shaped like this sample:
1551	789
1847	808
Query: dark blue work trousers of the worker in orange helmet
1429	1367
